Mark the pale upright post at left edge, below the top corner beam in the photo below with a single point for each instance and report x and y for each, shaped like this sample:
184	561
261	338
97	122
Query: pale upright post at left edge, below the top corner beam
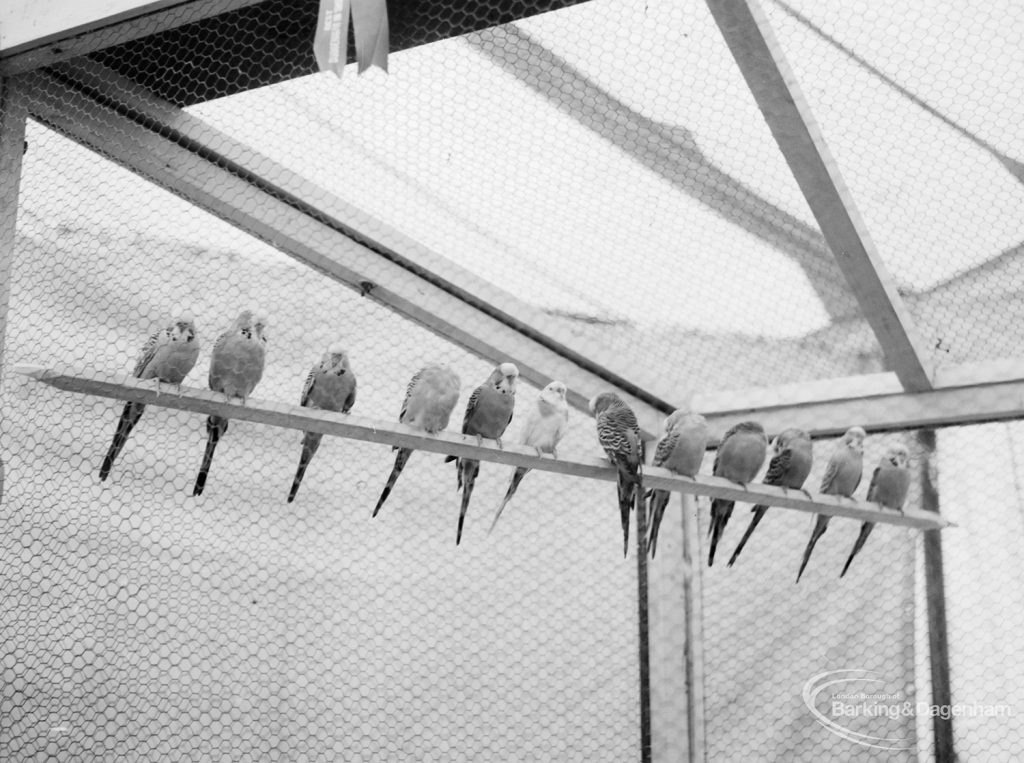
12	148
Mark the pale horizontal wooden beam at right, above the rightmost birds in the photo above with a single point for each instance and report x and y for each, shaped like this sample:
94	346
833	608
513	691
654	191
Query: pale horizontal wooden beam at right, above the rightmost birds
970	394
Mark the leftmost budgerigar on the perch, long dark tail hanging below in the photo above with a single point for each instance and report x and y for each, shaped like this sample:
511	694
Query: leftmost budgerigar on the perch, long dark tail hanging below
168	356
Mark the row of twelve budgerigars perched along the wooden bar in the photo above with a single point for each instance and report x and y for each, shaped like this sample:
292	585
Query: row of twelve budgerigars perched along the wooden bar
237	365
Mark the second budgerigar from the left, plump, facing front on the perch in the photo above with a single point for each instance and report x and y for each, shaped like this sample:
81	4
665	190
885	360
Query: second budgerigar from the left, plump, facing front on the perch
236	368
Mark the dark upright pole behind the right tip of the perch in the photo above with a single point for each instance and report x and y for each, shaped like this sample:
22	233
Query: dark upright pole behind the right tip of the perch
936	600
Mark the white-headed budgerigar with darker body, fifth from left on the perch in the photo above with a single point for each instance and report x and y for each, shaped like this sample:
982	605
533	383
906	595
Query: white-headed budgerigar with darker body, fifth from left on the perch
488	414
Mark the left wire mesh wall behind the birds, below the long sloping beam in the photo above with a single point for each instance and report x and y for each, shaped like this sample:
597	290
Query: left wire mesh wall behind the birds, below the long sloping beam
142	621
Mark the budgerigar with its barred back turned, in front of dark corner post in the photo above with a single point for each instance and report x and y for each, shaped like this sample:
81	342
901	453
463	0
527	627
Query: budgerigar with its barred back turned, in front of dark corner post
619	434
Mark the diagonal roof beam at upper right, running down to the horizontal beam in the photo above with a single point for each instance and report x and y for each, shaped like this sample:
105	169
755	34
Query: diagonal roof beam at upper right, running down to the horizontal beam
771	79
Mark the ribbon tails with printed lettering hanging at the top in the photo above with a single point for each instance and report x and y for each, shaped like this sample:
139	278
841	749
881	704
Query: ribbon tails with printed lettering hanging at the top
370	28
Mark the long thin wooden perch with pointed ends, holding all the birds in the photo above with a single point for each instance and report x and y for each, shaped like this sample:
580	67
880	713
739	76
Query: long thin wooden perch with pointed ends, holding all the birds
123	388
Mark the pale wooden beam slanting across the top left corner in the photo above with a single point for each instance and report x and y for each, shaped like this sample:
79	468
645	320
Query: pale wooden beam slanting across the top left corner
105	33
